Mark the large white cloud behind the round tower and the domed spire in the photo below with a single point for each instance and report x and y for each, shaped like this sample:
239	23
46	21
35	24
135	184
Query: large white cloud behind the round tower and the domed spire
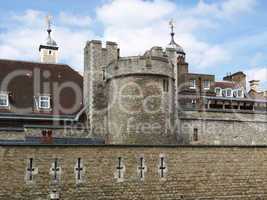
138	25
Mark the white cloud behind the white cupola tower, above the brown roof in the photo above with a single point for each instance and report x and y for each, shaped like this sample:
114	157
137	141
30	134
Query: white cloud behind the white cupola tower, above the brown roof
22	41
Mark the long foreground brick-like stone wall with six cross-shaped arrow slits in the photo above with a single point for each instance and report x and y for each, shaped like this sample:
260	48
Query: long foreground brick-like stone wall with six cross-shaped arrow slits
188	172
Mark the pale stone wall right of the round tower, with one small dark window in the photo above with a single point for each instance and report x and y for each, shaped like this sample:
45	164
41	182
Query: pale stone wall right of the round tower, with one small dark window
223	127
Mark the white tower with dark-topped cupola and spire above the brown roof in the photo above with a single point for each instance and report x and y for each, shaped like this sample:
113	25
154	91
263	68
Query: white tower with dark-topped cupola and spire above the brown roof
49	51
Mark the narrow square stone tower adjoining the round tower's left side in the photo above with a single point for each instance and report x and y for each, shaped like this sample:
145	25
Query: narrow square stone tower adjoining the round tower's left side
96	59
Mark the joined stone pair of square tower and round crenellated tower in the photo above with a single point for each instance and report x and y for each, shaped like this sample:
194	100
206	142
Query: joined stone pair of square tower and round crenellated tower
130	100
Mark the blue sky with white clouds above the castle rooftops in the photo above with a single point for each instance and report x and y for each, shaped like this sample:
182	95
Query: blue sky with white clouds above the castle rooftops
218	36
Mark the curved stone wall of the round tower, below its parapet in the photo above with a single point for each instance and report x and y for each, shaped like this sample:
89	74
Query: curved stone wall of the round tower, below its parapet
140	111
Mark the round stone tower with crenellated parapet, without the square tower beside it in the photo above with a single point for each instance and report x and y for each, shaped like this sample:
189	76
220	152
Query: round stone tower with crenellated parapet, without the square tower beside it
141	99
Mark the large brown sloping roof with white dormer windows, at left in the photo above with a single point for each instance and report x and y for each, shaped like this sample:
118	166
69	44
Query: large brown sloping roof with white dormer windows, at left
23	89
